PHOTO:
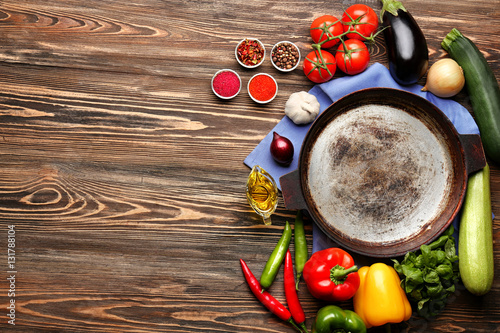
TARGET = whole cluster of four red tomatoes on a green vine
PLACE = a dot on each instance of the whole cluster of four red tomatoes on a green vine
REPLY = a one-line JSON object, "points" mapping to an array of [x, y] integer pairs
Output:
{"points": [[359, 23]]}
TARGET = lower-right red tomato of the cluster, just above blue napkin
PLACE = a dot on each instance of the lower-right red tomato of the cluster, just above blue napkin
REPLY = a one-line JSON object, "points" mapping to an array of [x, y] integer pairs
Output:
{"points": [[354, 58]]}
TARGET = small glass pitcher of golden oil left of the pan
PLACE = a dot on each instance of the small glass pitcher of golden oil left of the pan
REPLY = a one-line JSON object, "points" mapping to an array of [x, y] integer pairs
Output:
{"points": [[262, 193]]}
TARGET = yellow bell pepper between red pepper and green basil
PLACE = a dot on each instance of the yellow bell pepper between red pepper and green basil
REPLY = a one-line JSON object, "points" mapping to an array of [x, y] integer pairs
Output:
{"points": [[380, 298]]}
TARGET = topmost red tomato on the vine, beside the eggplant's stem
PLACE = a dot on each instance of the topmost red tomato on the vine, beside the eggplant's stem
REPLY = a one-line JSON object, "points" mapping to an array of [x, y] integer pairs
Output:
{"points": [[360, 18]]}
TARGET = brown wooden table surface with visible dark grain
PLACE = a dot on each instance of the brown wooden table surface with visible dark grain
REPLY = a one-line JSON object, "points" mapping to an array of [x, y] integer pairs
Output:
{"points": [[122, 175]]}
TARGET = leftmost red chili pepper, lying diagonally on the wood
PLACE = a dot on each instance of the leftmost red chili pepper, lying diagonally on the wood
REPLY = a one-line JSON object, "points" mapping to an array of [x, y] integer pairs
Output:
{"points": [[271, 303]]}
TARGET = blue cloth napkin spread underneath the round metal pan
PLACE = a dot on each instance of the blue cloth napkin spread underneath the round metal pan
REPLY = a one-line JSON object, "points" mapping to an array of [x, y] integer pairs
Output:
{"points": [[377, 75]]}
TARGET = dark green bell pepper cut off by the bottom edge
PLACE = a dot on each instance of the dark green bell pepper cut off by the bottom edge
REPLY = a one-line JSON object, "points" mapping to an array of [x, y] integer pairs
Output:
{"points": [[331, 319]]}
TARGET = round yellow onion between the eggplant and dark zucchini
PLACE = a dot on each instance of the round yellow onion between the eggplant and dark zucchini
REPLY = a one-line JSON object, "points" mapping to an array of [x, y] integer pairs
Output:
{"points": [[445, 78]]}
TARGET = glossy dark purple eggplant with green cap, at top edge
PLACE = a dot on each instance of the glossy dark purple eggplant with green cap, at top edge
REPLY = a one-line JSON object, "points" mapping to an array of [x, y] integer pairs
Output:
{"points": [[406, 45]]}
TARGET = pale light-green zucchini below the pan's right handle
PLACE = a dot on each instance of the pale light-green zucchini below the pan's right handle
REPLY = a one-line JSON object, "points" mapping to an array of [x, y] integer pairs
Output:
{"points": [[475, 237]]}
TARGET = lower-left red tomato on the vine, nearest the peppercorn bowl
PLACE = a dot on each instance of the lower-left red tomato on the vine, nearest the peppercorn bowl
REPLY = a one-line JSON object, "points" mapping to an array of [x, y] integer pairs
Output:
{"points": [[316, 70]]}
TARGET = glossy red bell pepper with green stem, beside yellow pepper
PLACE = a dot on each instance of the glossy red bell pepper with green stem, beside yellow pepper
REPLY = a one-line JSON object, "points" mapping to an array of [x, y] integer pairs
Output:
{"points": [[331, 275]]}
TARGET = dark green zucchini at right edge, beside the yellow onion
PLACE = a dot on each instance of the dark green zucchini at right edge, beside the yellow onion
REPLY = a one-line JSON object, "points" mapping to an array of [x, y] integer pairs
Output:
{"points": [[482, 87]]}
